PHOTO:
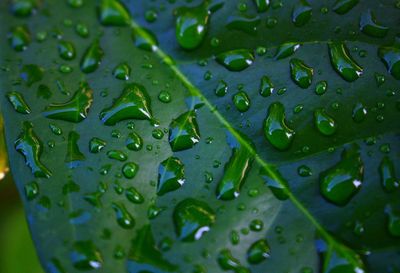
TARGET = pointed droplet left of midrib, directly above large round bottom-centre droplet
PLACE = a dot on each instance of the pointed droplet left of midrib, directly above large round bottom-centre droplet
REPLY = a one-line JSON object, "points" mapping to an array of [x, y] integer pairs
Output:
{"points": [[171, 175]]}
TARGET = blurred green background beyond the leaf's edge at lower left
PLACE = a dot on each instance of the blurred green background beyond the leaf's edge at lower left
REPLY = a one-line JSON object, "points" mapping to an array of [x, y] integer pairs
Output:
{"points": [[17, 253]]}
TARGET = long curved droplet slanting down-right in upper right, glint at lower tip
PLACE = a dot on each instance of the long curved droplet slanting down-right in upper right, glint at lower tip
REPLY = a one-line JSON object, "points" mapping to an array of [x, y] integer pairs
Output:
{"points": [[343, 63]]}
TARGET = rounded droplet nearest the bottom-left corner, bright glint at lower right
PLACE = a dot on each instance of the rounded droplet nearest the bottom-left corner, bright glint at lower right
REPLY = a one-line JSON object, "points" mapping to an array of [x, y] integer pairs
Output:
{"points": [[86, 256]]}
